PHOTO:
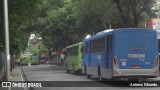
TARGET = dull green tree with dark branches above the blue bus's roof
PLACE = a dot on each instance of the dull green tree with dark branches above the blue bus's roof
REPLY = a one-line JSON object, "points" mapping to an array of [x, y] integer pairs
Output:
{"points": [[96, 15]]}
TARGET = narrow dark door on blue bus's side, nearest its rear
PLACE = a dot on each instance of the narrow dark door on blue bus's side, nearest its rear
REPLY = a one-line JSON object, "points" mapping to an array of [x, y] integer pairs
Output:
{"points": [[109, 51]]}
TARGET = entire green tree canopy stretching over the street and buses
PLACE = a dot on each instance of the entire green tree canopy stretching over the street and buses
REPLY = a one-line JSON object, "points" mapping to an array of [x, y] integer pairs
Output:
{"points": [[64, 22]]}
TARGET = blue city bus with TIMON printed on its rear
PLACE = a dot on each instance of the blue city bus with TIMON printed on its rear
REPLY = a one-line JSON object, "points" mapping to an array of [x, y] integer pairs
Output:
{"points": [[121, 53]]}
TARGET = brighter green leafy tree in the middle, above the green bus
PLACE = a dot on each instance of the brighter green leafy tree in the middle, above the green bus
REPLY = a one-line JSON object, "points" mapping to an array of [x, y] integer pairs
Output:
{"points": [[57, 24]]}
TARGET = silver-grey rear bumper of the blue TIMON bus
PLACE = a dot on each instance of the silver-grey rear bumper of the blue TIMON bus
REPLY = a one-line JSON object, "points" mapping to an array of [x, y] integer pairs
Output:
{"points": [[136, 72]]}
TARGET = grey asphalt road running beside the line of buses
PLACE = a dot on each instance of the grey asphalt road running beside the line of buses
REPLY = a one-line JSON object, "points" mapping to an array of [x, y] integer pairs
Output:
{"points": [[57, 79]]}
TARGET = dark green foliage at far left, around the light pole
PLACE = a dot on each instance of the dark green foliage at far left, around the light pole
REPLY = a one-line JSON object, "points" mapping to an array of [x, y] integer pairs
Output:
{"points": [[21, 13]]}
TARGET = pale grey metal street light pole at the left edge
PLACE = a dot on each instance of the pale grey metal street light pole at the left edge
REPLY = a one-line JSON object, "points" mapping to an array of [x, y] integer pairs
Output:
{"points": [[6, 26]]}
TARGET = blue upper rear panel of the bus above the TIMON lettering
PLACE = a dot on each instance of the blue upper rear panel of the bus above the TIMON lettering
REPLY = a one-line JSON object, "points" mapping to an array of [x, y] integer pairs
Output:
{"points": [[146, 39]]}
